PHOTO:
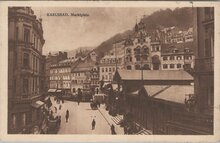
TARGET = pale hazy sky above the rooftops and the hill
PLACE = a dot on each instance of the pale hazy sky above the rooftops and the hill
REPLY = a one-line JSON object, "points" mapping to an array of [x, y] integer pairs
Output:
{"points": [[71, 32]]}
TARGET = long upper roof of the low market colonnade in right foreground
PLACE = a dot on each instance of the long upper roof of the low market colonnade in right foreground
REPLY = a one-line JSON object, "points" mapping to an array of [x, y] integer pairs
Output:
{"points": [[153, 75]]}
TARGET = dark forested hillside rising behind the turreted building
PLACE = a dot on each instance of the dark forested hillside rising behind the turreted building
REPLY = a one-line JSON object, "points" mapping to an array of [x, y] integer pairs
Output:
{"points": [[179, 17]]}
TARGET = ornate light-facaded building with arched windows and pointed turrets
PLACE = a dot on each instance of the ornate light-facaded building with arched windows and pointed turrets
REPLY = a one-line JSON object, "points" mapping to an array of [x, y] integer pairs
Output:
{"points": [[137, 49]]}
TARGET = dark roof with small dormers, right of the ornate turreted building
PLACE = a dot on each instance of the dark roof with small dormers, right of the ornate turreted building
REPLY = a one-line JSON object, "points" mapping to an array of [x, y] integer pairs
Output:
{"points": [[167, 49]]}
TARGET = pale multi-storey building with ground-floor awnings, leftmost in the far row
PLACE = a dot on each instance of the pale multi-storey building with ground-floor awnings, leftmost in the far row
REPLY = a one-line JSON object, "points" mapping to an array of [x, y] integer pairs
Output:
{"points": [[60, 76]]}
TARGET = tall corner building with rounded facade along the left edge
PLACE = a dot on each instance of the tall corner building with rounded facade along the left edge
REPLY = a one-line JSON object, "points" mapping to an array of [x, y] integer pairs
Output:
{"points": [[26, 70]]}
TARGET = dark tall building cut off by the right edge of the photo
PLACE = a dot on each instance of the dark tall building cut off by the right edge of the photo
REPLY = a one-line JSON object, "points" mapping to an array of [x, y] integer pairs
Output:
{"points": [[204, 59]]}
